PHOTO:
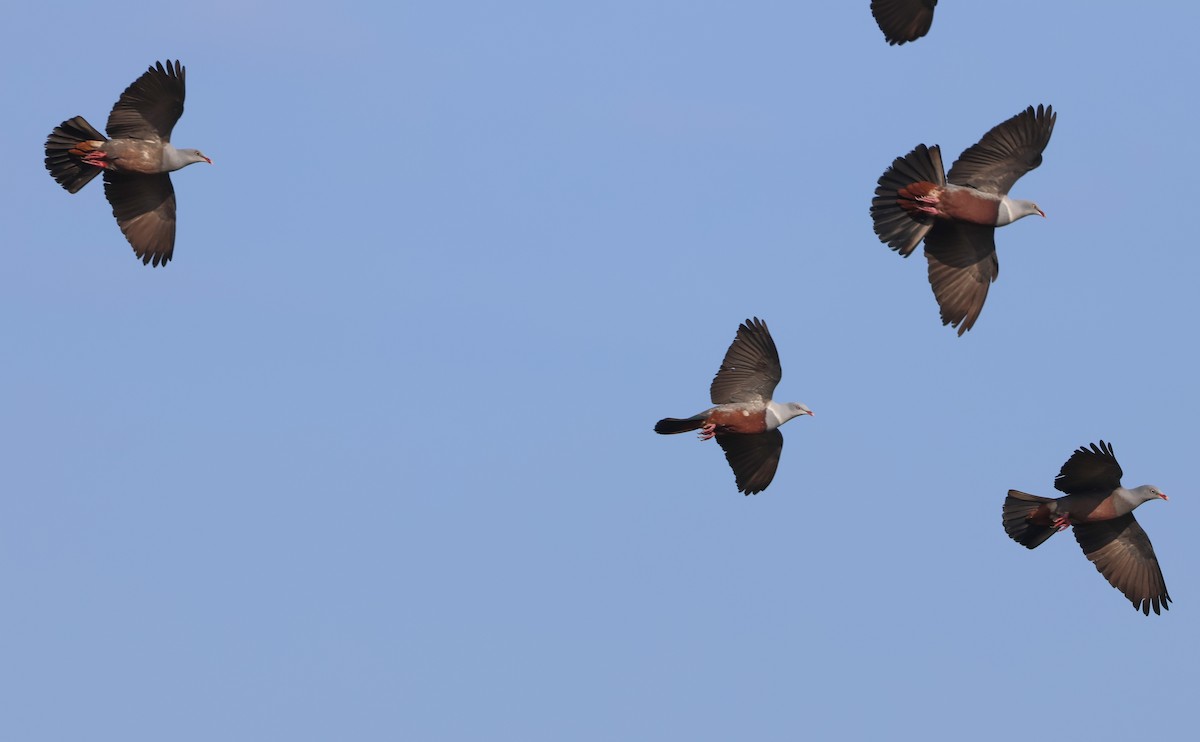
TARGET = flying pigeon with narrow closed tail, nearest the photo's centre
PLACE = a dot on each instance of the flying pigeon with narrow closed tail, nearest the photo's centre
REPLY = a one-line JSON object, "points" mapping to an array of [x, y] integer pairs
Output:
{"points": [[746, 421]]}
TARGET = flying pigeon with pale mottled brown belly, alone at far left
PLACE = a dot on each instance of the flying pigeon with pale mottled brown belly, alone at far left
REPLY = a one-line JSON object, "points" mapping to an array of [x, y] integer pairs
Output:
{"points": [[135, 161]]}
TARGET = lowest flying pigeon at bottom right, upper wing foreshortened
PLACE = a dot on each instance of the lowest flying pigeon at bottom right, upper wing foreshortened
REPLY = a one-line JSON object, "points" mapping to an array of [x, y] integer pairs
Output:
{"points": [[1102, 514]]}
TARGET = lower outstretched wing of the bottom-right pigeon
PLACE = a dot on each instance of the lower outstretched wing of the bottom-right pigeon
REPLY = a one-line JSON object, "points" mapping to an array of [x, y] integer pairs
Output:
{"points": [[1123, 553]]}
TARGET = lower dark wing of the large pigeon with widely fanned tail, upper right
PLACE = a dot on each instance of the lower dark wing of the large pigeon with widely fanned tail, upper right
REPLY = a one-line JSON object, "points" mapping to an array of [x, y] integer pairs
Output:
{"points": [[962, 267]]}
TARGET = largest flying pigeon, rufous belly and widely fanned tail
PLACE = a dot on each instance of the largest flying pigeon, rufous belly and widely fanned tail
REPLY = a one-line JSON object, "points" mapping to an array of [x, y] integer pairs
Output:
{"points": [[958, 214]]}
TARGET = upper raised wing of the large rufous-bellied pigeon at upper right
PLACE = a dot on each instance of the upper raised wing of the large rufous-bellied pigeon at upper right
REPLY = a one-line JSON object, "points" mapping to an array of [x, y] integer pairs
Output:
{"points": [[1006, 153]]}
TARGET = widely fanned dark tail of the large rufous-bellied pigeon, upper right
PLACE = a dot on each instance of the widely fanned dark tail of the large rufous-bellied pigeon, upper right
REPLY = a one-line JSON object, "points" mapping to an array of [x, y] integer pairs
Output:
{"points": [[903, 229]]}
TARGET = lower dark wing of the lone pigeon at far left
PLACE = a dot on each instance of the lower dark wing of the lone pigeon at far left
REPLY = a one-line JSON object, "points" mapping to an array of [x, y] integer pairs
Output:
{"points": [[145, 207]]}
